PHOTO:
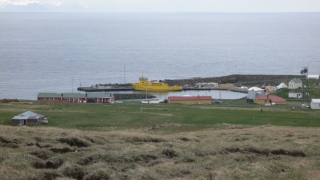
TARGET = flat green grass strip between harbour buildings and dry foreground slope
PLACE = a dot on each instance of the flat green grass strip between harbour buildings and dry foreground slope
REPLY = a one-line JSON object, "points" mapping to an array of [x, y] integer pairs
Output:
{"points": [[121, 116]]}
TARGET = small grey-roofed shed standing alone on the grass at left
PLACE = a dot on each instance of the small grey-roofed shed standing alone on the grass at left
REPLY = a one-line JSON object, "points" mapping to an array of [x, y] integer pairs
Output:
{"points": [[29, 118]]}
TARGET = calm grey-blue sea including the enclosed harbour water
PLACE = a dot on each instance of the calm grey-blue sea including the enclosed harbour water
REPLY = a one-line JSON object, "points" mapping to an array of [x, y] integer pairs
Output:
{"points": [[59, 52]]}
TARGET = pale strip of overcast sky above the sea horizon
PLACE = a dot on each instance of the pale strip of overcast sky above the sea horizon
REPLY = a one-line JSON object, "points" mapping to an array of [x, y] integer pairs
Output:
{"points": [[183, 5]]}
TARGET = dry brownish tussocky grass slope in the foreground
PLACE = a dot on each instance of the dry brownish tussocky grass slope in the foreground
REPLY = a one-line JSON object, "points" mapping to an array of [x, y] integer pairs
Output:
{"points": [[222, 151]]}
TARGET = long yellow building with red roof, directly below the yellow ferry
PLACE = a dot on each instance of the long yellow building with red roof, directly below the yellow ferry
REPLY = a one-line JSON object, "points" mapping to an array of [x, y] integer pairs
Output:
{"points": [[190, 99]]}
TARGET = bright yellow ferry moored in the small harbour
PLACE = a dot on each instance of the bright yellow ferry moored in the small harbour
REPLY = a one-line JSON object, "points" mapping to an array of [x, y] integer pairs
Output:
{"points": [[144, 85]]}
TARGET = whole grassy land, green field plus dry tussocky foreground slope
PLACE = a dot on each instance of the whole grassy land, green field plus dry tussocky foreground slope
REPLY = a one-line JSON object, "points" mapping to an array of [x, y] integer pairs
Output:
{"points": [[89, 141]]}
